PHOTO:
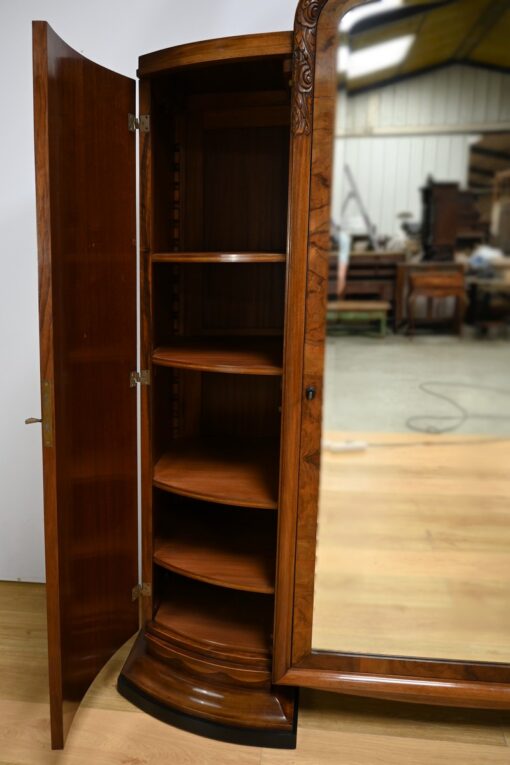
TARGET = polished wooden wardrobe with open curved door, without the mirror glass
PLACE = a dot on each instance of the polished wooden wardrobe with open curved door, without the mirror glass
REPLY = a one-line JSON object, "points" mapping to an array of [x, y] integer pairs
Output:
{"points": [[234, 229]]}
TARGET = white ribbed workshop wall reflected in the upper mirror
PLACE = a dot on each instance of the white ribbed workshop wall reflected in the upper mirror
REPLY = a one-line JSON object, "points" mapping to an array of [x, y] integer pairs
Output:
{"points": [[394, 137]]}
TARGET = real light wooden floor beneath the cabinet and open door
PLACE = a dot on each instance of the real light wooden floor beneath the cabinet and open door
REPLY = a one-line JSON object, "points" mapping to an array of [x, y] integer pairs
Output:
{"points": [[107, 730]]}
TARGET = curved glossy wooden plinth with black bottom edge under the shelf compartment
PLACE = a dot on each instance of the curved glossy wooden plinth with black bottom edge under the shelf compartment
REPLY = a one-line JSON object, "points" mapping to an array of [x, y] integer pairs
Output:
{"points": [[252, 716]]}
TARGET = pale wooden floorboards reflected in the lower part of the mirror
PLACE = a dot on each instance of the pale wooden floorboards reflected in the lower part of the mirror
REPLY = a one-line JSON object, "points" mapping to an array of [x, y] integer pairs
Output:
{"points": [[415, 539]]}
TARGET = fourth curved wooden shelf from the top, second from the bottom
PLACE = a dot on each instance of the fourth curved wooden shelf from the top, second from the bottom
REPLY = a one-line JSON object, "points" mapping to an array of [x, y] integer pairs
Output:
{"points": [[229, 547]]}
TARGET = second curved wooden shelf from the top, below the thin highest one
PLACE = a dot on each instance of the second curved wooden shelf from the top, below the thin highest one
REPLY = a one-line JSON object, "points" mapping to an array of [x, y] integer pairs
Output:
{"points": [[230, 355]]}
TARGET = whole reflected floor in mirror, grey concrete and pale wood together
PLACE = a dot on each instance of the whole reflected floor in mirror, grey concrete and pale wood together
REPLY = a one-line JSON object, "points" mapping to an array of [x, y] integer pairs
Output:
{"points": [[413, 551]]}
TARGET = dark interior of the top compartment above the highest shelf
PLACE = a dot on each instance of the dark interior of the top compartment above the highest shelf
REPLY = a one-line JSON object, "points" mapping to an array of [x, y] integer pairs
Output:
{"points": [[228, 126]]}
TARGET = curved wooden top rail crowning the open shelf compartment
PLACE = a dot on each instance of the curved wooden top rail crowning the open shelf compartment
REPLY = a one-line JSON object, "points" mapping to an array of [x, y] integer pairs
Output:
{"points": [[234, 49]]}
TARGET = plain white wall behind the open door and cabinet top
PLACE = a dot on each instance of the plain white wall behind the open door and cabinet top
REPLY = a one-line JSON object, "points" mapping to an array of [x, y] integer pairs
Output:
{"points": [[113, 33]]}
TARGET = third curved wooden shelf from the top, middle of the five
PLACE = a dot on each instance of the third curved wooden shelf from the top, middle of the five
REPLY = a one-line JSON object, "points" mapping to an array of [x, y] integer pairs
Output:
{"points": [[227, 471]]}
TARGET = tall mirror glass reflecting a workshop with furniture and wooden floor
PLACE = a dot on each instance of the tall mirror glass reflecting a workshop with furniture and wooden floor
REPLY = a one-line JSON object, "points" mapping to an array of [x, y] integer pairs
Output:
{"points": [[413, 555]]}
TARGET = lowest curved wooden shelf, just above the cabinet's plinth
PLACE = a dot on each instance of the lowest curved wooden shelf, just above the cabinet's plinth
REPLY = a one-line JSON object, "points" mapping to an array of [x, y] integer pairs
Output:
{"points": [[214, 620]]}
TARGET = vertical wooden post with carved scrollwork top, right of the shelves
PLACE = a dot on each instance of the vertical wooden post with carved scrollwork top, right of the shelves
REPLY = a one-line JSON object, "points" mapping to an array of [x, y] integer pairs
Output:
{"points": [[294, 383]]}
